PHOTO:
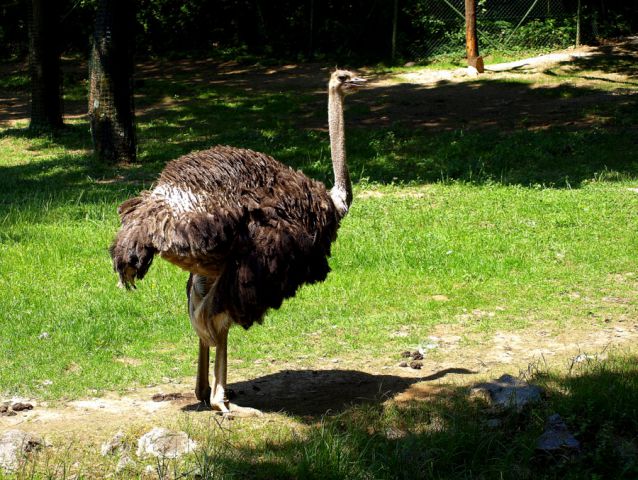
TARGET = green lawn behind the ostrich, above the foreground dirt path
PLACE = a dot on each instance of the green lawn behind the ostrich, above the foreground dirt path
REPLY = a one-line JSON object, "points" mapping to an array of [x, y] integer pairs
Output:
{"points": [[515, 219]]}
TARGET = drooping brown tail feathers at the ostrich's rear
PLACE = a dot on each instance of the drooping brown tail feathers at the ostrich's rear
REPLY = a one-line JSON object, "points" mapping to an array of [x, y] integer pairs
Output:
{"points": [[132, 255]]}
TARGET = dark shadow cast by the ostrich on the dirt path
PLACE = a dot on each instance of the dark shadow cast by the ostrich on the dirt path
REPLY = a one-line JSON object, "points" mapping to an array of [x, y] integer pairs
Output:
{"points": [[317, 392]]}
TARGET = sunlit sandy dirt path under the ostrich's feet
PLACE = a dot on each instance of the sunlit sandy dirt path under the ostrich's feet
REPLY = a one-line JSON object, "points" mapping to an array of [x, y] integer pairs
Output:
{"points": [[331, 387]]}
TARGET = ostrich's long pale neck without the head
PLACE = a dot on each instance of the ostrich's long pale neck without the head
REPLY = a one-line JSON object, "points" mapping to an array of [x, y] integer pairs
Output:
{"points": [[342, 191]]}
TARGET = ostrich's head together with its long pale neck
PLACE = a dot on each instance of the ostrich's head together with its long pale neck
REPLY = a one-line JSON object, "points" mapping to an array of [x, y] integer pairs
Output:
{"points": [[341, 83]]}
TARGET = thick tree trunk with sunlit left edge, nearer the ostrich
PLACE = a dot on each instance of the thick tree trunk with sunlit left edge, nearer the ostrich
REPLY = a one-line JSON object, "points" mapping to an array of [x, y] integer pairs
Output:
{"points": [[111, 109]]}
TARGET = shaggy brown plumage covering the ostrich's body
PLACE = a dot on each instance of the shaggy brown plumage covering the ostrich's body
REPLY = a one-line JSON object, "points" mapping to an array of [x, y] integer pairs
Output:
{"points": [[262, 228]]}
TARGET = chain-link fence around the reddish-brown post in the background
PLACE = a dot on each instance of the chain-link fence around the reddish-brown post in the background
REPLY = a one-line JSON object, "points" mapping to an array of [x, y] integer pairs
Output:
{"points": [[503, 26]]}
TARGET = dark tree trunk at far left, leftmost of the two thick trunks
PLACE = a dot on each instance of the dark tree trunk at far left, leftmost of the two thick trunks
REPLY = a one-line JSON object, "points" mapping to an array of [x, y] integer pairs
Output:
{"points": [[44, 65]]}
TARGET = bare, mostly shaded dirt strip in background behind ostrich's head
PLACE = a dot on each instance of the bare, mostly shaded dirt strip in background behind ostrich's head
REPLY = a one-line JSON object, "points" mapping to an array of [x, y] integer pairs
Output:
{"points": [[556, 89]]}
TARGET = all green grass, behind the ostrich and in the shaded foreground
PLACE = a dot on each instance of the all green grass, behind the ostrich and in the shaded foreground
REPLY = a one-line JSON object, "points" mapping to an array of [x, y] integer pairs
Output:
{"points": [[531, 225]]}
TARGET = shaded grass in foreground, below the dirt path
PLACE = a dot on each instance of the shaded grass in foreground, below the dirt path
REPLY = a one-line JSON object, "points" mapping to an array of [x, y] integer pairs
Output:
{"points": [[443, 435]]}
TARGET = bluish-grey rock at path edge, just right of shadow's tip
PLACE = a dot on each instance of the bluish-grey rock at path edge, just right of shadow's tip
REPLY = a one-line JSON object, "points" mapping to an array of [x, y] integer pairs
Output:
{"points": [[507, 392]]}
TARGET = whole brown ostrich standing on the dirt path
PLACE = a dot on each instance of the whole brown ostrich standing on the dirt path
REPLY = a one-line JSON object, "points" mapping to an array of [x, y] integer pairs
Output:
{"points": [[249, 229]]}
